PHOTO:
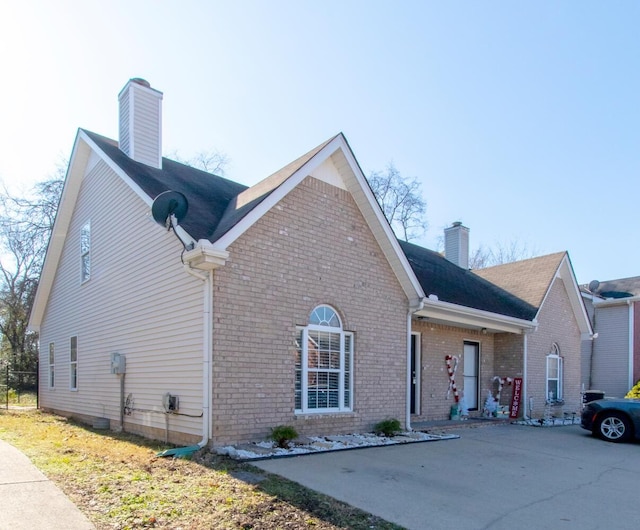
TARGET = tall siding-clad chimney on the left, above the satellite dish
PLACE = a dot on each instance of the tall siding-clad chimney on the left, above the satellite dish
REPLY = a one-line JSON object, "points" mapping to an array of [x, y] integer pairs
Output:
{"points": [[141, 122]]}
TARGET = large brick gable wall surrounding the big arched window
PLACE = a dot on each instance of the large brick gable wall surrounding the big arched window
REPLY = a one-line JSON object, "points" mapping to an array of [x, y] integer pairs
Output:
{"points": [[312, 248]]}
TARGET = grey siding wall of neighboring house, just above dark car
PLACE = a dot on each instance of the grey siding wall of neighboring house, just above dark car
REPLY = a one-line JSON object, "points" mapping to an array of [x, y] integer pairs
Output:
{"points": [[611, 351]]}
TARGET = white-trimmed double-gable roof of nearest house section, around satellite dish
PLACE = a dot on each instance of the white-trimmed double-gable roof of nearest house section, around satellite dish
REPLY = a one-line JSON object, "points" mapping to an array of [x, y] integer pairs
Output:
{"points": [[220, 210]]}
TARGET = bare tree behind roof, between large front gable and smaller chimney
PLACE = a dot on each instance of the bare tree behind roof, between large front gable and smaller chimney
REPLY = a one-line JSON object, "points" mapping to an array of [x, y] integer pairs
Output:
{"points": [[401, 201]]}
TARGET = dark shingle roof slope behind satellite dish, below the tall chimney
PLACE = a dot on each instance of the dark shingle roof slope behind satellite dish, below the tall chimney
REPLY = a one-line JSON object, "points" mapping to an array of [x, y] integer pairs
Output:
{"points": [[208, 195]]}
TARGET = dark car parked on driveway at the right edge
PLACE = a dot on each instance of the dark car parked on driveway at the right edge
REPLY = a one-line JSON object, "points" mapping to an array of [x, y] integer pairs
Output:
{"points": [[614, 420]]}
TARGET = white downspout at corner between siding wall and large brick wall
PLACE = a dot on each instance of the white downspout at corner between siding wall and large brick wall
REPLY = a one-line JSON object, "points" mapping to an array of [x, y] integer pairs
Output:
{"points": [[207, 340]]}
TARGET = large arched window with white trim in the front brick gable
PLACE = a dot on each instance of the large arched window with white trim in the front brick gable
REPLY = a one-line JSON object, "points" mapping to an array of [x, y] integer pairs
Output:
{"points": [[323, 364]]}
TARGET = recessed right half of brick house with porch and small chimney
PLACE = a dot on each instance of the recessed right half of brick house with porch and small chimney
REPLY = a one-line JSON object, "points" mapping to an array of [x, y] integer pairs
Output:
{"points": [[518, 320]]}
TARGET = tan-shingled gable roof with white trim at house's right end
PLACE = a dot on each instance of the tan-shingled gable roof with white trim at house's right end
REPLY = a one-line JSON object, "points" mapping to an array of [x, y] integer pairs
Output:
{"points": [[531, 280]]}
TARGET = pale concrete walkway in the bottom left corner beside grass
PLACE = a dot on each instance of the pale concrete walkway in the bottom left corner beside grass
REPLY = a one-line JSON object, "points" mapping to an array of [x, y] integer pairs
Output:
{"points": [[29, 500]]}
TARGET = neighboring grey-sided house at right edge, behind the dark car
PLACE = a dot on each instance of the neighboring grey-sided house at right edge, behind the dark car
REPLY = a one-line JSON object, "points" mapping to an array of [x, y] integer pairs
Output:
{"points": [[611, 363]]}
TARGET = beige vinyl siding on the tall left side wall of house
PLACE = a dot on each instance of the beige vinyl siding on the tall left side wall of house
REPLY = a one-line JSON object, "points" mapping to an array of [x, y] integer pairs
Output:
{"points": [[139, 302]]}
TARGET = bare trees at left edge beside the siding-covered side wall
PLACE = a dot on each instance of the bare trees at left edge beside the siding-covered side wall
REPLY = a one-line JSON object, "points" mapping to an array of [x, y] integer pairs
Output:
{"points": [[25, 228]]}
